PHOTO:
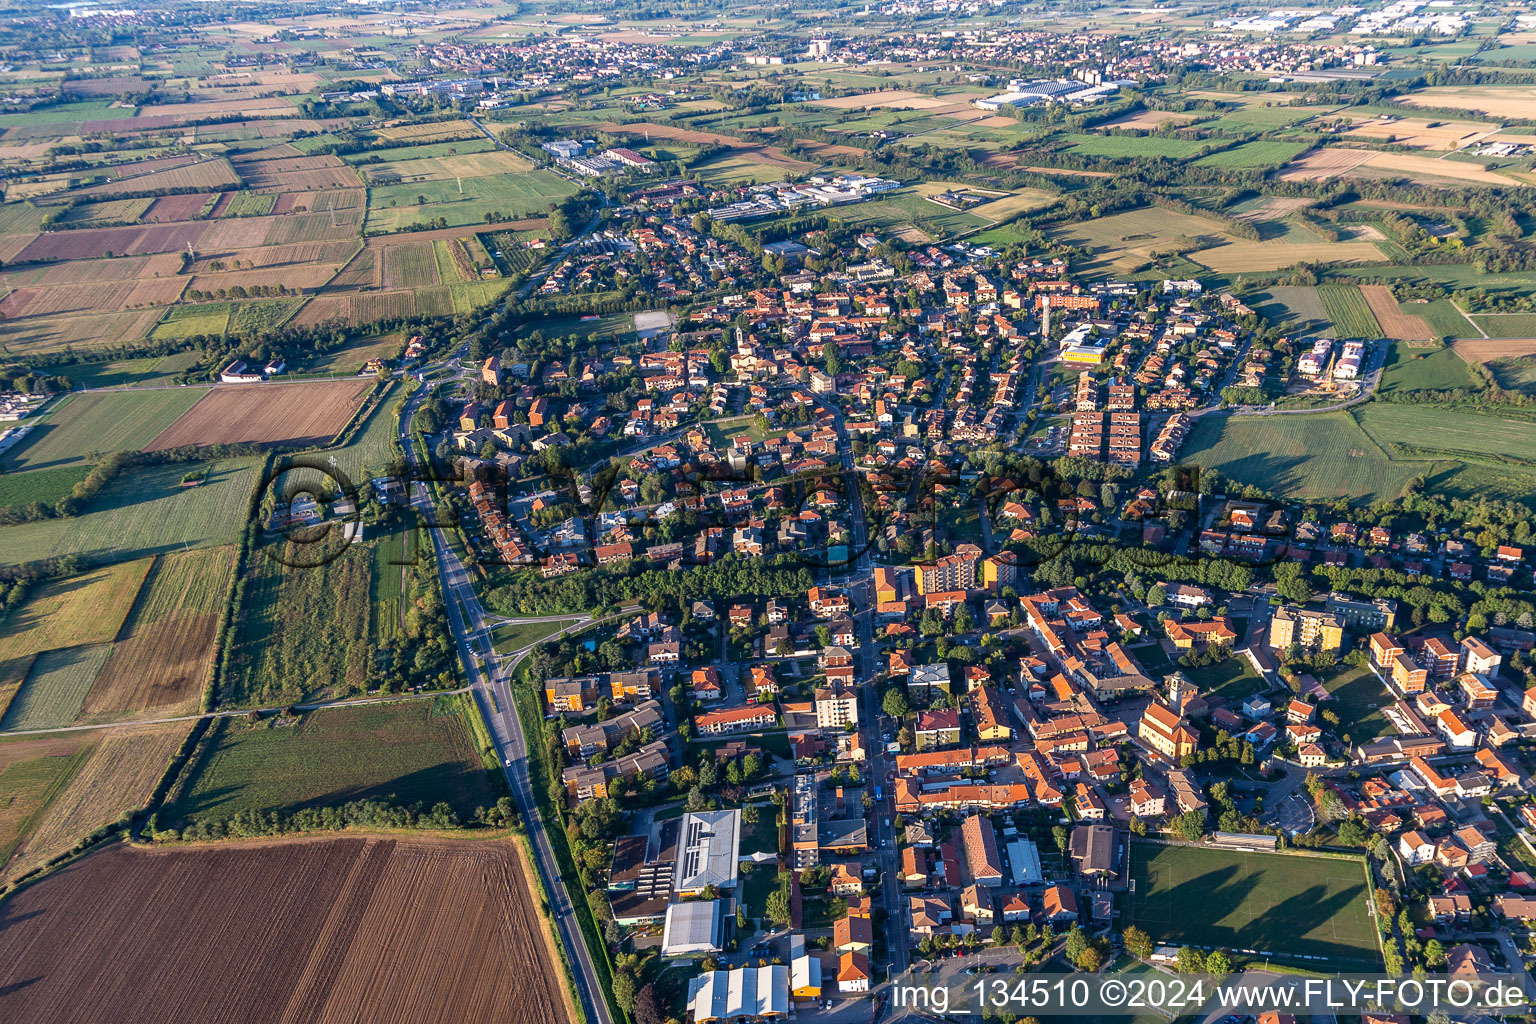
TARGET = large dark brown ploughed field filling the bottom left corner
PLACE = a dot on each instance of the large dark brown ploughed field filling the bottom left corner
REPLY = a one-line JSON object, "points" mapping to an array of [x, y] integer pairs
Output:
{"points": [[329, 931]]}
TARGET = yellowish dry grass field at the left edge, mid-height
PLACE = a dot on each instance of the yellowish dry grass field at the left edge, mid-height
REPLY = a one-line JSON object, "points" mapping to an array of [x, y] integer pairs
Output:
{"points": [[73, 612]]}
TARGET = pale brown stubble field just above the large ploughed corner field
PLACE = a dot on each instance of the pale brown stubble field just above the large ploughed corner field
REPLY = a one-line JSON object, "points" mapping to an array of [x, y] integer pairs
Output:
{"points": [[121, 773]]}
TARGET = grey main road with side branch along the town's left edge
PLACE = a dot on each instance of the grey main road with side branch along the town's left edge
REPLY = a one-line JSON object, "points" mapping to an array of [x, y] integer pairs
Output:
{"points": [[494, 696]]}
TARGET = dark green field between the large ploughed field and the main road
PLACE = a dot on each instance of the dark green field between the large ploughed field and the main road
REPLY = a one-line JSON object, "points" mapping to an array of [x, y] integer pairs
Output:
{"points": [[409, 751]]}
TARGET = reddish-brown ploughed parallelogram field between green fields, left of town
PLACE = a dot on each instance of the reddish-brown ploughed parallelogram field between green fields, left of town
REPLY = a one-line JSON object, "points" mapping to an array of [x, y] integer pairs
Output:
{"points": [[266, 414]]}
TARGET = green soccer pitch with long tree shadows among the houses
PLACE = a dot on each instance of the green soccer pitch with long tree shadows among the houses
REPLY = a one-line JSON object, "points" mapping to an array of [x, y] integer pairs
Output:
{"points": [[1289, 907]]}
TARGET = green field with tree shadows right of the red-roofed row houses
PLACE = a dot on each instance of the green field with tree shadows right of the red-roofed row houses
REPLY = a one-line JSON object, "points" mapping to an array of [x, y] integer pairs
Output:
{"points": [[1314, 455]]}
